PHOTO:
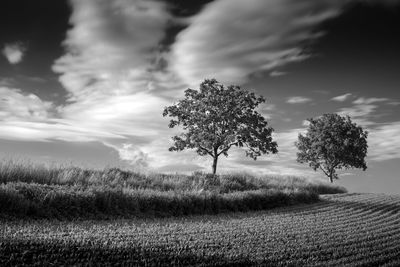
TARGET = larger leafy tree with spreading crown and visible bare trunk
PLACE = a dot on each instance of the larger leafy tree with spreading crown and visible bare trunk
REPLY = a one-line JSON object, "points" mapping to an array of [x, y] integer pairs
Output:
{"points": [[216, 117]]}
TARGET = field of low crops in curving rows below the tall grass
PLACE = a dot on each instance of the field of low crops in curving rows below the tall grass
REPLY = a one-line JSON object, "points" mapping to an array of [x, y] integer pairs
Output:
{"points": [[342, 229]]}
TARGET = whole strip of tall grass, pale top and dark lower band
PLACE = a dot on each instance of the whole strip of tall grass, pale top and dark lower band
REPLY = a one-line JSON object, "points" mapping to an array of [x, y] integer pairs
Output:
{"points": [[40, 191]]}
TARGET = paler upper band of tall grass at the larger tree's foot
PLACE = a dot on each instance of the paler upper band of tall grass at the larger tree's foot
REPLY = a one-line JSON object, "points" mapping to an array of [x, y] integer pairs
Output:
{"points": [[27, 172]]}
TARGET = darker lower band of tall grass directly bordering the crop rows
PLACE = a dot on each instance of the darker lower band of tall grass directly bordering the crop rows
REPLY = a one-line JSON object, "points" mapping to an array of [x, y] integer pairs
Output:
{"points": [[22, 200]]}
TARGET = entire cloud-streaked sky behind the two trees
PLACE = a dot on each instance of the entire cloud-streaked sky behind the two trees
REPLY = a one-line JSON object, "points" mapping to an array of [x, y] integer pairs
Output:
{"points": [[85, 82]]}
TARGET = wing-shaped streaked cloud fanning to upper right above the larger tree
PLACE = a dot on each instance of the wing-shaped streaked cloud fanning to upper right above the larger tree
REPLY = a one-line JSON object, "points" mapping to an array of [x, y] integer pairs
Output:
{"points": [[231, 39]]}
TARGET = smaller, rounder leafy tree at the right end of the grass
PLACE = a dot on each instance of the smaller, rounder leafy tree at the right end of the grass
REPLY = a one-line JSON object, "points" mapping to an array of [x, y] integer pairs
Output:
{"points": [[333, 142]]}
